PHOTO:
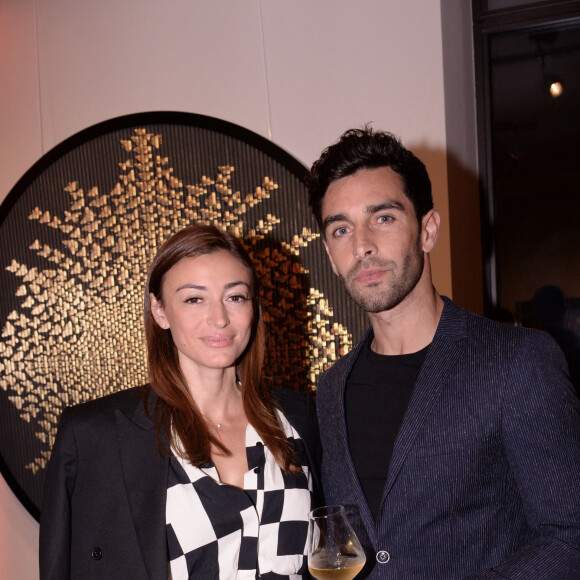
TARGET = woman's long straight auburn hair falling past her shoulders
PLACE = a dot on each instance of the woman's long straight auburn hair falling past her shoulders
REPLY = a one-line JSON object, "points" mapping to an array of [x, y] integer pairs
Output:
{"points": [[179, 425]]}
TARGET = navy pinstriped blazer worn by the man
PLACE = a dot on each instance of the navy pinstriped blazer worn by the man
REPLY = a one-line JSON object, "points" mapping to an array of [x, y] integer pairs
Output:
{"points": [[484, 481]]}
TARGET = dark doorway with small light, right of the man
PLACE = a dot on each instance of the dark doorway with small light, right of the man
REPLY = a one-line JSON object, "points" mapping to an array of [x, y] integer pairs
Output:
{"points": [[528, 87]]}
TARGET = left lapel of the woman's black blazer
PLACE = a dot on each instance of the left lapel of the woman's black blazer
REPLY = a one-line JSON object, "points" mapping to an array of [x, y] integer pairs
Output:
{"points": [[145, 474]]}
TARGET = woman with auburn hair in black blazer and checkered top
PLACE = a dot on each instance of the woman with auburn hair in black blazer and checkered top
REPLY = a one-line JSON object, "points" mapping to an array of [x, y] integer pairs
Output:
{"points": [[203, 473]]}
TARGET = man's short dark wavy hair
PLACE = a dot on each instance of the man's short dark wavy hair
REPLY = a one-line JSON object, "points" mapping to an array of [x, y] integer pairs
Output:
{"points": [[368, 149]]}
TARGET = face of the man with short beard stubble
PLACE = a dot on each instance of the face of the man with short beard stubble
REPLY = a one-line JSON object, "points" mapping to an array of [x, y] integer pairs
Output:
{"points": [[372, 238]]}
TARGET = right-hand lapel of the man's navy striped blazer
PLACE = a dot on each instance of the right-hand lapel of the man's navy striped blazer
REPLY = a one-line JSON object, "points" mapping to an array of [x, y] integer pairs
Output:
{"points": [[447, 346]]}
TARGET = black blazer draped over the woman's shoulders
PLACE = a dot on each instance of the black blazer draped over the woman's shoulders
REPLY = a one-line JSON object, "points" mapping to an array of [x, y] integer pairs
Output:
{"points": [[103, 512]]}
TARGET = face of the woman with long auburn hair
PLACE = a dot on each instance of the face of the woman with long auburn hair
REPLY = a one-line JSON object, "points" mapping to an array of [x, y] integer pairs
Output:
{"points": [[207, 305]]}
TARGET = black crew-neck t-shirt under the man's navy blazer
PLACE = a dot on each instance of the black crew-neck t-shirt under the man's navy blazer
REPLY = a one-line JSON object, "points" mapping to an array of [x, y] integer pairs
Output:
{"points": [[378, 391]]}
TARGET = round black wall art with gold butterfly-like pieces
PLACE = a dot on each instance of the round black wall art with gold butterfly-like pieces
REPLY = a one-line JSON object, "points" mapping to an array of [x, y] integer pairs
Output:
{"points": [[77, 234]]}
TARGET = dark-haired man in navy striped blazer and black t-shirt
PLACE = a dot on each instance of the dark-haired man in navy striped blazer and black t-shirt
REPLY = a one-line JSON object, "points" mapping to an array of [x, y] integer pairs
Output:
{"points": [[452, 441]]}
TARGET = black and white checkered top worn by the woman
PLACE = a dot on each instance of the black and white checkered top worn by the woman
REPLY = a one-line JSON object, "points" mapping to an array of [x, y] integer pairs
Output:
{"points": [[219, 531]]}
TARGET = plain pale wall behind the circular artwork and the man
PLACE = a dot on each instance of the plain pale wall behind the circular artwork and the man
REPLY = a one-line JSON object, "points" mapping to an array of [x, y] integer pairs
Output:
{"points": [[298, 72]]}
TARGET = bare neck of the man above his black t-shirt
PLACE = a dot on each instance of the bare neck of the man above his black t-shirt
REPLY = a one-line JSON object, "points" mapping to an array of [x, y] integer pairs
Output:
{"points": [[409, 326]]}
